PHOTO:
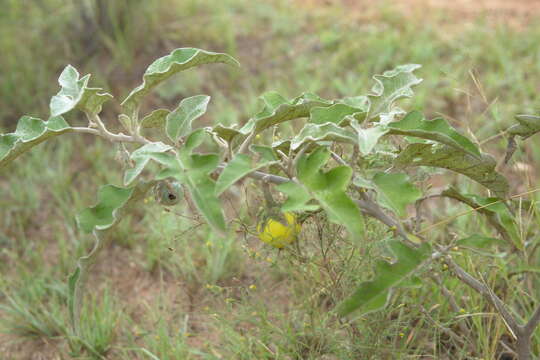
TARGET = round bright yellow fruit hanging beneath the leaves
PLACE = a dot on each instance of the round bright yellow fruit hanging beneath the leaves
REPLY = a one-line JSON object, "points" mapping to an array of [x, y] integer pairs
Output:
{"points": [[279, 232]]}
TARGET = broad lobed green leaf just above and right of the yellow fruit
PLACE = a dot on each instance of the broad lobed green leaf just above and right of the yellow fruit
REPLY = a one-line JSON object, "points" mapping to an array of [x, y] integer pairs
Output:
{"points": [[329, 189]]}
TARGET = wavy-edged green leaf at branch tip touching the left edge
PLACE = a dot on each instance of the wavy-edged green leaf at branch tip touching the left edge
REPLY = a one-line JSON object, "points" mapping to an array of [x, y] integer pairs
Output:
{"points": [[29, 133]]}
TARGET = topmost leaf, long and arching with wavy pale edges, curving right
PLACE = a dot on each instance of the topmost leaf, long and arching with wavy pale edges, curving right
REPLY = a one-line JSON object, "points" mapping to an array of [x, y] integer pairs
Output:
{"points": [[167, 66]]}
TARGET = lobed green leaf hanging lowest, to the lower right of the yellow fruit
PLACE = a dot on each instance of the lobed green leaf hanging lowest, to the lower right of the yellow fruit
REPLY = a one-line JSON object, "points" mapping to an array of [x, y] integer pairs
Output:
{"points": [[372, 295]]}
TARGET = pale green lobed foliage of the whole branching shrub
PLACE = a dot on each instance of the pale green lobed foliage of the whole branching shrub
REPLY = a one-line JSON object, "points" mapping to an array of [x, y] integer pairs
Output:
{"points": [[299, 164]]}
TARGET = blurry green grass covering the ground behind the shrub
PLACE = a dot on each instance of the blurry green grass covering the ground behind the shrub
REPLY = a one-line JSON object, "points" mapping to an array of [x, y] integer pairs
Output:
{"points": [[177, 292]]}
